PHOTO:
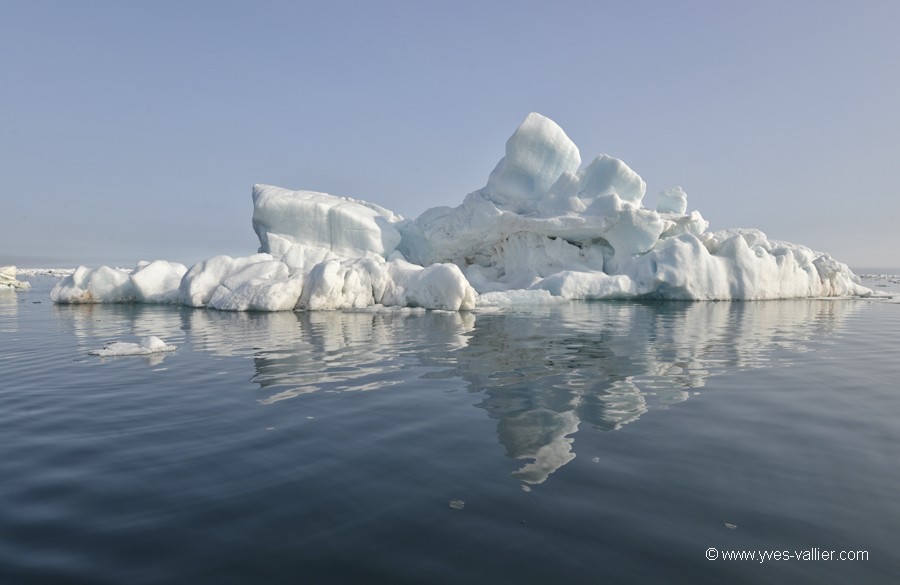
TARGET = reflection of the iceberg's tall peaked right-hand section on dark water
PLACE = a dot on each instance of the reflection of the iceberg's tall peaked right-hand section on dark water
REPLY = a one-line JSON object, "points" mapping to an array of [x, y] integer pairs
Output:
{"points": [[605, 364]]}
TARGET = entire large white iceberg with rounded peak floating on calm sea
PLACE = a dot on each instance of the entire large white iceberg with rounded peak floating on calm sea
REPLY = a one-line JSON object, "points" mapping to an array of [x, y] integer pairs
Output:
{"points": [[543, 229]]}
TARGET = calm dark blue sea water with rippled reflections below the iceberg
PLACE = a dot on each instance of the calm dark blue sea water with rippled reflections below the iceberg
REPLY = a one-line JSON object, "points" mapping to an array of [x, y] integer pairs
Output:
{"points": [[582, 443]]}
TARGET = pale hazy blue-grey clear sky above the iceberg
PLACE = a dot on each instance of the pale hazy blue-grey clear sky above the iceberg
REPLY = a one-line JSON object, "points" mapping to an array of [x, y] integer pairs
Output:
{"points": [[135, 130]]}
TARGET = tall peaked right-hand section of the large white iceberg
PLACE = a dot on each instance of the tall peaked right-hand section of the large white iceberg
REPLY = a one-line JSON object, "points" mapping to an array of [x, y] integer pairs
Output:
{"points": [[585, 234]]}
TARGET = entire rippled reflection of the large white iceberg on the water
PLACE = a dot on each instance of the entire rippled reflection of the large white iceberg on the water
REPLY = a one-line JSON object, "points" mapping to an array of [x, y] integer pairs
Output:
{"points": [[542, 373]]}
